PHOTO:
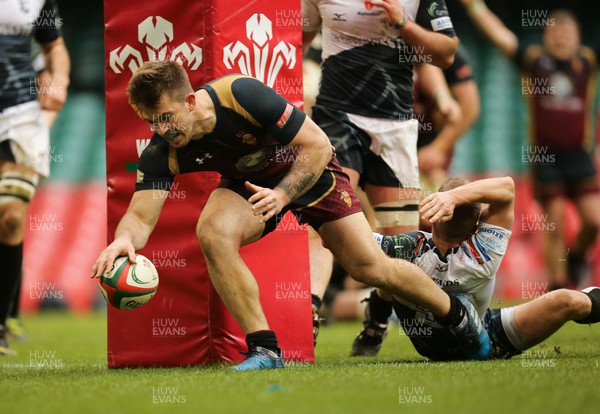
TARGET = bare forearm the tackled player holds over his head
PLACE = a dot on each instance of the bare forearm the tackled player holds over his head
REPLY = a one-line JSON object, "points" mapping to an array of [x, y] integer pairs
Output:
{"points": [[494, 191]]}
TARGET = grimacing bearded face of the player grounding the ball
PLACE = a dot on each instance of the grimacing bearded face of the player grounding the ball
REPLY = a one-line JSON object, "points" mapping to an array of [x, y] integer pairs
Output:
{"points": [[171, 120]]}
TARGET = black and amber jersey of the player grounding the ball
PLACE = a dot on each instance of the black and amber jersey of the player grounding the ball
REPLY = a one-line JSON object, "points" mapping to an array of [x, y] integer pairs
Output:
{"points": [[254, 125]]}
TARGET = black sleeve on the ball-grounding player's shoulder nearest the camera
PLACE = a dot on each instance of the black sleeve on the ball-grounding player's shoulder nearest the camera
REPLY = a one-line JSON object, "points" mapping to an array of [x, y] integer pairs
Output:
{"points": [[280, 118]]}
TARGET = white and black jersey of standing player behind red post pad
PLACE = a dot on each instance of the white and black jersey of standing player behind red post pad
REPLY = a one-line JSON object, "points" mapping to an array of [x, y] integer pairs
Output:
{"points": [[367, 67]]}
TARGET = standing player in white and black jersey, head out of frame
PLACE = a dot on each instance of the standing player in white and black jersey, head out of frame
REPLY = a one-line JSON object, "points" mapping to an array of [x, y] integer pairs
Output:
{"points": [[365, 101]]}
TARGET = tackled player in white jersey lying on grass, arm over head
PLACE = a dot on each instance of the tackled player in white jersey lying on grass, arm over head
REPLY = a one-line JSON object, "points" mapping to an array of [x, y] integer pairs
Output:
{"points": [[462, 254]]}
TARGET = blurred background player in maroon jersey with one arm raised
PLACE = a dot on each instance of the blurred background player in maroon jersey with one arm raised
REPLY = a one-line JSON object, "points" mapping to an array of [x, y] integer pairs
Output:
{"points": [[561, 118]]}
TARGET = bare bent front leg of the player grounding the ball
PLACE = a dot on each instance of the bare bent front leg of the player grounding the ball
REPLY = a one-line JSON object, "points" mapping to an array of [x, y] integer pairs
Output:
{"points": [[227, 223]]}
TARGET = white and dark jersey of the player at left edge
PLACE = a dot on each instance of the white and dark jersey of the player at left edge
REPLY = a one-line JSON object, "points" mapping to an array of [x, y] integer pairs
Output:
{"points": [[20, 21]]}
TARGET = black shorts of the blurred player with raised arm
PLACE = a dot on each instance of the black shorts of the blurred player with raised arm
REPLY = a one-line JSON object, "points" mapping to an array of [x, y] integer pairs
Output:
{"points": [[563, 173]]}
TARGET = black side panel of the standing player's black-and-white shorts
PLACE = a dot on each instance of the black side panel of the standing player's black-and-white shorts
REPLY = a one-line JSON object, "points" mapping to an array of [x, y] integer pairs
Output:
{"points": [[352, 147]]}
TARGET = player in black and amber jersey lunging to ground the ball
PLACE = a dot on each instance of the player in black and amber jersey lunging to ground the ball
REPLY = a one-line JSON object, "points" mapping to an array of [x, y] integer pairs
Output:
{"points": [[272, 159]]}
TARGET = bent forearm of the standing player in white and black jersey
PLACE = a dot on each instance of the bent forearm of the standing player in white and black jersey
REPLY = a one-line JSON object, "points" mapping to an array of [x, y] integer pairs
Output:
{"points": [[439, 49]]}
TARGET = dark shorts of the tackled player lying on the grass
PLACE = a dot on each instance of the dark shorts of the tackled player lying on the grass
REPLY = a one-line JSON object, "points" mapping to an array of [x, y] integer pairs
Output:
{"points": [[439, 344]]}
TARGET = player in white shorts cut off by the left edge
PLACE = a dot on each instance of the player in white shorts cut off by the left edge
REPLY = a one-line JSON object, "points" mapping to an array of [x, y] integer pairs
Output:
{"points": [[24, 134]]}
